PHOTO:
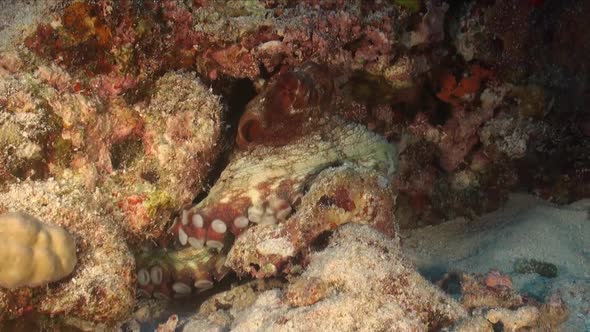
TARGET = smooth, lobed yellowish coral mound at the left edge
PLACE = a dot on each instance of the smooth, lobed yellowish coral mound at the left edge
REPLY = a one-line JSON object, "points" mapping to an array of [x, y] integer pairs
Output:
{"points": [[46, 253]]}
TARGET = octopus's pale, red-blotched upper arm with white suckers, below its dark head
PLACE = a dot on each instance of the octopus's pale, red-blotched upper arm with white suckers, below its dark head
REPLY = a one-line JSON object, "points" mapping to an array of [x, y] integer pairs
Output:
{"points": [[264, 185]]}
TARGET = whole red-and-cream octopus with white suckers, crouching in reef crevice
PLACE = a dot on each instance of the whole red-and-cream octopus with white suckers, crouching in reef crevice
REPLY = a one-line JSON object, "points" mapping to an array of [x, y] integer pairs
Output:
{"points": [[277, 195]]}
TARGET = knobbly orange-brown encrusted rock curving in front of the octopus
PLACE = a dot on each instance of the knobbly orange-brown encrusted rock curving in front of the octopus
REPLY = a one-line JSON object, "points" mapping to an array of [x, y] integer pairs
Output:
{"points": [[339, 195]]}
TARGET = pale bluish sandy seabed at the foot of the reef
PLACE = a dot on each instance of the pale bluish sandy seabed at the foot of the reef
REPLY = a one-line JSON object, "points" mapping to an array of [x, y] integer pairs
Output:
{"points": [[525, 228]]}
